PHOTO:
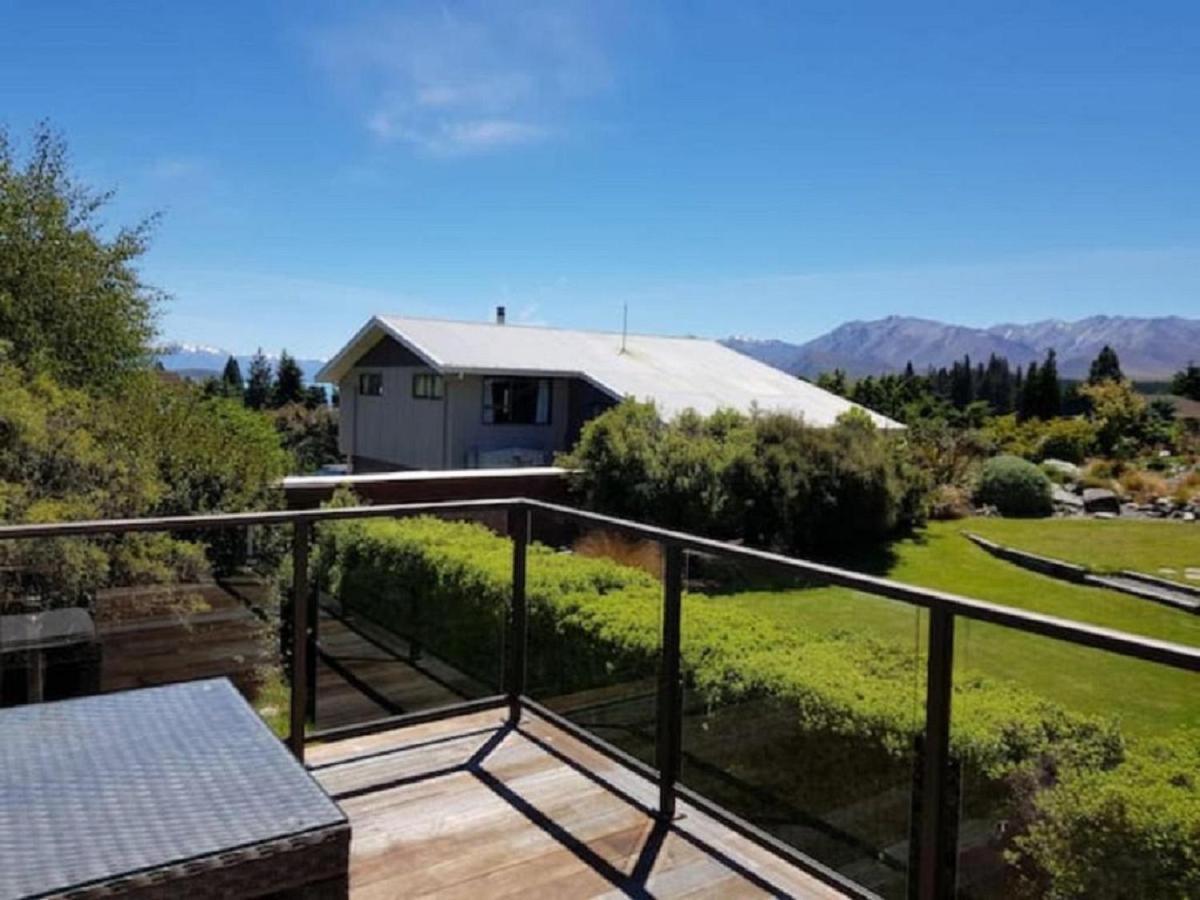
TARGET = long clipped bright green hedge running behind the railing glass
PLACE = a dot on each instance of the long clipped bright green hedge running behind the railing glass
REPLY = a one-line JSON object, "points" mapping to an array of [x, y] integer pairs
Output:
{"points": [[1066, 777]]}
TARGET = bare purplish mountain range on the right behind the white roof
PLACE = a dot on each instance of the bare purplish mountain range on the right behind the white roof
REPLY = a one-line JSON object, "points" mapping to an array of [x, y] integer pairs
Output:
{"points": [[1150, 349]]}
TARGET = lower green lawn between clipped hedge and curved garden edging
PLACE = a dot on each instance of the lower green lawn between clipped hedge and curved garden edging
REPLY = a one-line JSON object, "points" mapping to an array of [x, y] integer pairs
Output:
{"points": [[1148, 698]]}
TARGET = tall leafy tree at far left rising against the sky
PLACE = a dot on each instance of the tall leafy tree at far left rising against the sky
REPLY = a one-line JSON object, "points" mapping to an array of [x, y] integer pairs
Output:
{"points": [[71, 302]]}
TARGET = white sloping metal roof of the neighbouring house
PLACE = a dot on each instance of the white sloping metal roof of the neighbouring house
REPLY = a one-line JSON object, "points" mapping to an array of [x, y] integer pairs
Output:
{"points": [[676, 374]]}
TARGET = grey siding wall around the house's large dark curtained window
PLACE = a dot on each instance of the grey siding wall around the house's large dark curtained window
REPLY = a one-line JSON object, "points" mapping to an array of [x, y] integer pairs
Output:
{"points": [[470, 436]]}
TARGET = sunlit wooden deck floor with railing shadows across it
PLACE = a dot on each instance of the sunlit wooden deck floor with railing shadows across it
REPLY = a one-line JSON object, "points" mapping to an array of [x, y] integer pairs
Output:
{"points": [[475, 808]]}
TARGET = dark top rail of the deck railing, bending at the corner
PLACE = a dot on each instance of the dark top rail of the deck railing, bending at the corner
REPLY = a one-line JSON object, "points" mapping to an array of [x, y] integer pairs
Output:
{"points": [[1120, 643]]}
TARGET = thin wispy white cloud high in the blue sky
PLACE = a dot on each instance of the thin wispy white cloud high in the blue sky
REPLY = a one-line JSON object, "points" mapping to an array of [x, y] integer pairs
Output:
{"points": [[470, 79]]}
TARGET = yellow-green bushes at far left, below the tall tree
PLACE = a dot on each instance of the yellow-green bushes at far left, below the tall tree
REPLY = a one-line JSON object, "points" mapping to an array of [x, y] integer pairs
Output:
{"points": [[147, 448]]}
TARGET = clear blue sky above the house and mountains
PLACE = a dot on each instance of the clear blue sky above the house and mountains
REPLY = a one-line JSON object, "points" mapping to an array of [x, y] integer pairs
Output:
{"points": [[761, 169]]}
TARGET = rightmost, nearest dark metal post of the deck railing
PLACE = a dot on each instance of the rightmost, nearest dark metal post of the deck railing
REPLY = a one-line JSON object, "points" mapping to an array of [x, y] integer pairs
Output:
{"points": [[938, 839]]}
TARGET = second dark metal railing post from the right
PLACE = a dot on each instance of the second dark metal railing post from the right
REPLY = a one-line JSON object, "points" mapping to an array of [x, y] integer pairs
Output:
{"points": [[670, 712]]}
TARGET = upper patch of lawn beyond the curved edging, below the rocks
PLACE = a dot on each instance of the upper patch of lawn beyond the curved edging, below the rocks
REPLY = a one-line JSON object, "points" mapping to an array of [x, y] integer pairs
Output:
{"points": [[1105, 547]]}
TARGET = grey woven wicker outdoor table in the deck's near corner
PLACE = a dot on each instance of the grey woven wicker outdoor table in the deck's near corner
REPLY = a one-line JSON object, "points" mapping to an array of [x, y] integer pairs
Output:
{"points": [[166, 793]]}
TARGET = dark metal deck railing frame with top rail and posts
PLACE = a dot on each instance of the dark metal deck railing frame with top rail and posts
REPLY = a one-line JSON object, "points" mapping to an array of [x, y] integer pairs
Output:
{"points": [[933, 872]]}
